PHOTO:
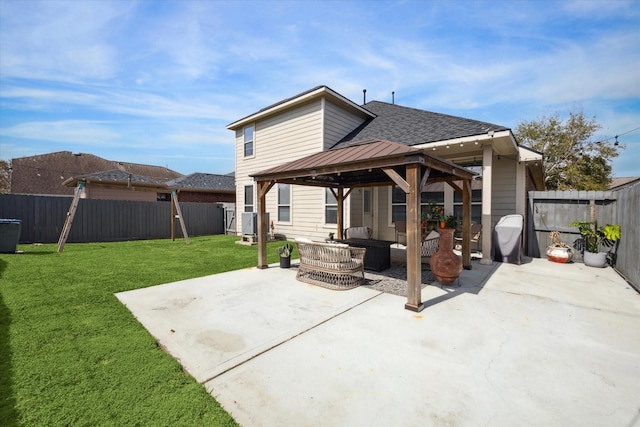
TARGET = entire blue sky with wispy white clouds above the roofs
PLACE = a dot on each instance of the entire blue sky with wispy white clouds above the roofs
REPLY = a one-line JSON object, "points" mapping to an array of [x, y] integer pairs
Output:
{"points": [[156, 82]]}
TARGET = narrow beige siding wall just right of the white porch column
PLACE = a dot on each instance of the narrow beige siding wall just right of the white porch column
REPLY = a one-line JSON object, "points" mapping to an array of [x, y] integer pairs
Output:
{"points": [[503, 194]]}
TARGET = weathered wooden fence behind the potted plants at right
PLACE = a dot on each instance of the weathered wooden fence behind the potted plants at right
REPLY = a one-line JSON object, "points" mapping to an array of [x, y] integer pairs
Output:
{"points": [[555, 210]]}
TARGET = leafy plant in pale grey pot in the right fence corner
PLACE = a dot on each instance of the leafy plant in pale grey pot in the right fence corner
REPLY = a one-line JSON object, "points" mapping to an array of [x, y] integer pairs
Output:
{"points": [[593, 237]]}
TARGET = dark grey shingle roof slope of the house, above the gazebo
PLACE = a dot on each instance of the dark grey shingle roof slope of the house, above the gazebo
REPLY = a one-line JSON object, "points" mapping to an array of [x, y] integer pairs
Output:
{"points": [[411, 126]]}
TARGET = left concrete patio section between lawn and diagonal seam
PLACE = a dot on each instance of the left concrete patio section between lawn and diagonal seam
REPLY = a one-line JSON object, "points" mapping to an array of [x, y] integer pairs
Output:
{"points": [[213, 323]]}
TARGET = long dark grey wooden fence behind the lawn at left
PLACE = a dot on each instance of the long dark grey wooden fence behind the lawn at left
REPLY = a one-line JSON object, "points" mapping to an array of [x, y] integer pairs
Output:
{"points": [[106, 220]]}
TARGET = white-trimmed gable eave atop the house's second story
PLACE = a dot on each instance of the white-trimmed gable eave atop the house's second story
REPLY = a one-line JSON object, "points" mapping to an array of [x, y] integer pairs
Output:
{"points": [[306, 96]]}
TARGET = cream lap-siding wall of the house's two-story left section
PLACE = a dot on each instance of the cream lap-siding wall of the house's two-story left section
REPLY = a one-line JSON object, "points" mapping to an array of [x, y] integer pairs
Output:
{"points": [[288, 136]]}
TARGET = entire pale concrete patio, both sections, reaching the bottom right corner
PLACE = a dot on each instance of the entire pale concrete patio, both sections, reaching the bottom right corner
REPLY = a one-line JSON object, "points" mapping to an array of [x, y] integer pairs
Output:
{"points": [[535, 344]]}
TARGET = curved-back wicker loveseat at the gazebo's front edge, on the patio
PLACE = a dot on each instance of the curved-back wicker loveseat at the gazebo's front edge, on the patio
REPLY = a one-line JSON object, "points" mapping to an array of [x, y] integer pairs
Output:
{"points": [[332, 266]]}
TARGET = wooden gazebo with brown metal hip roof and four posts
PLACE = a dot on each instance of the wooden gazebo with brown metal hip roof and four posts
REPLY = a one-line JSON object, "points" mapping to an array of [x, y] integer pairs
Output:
{"points": [[373, 163]]}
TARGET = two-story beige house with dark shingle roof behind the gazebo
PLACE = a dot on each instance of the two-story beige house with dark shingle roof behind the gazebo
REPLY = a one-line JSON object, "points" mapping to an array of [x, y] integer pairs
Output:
{"points": [[321, 119]]}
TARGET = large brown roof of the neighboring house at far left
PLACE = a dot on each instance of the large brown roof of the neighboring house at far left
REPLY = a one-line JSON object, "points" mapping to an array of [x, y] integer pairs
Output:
{"points": [[44, 174]]}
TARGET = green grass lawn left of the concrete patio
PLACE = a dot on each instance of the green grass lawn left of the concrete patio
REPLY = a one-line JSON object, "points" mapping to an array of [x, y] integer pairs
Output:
{"points": [[72, 354]]}
